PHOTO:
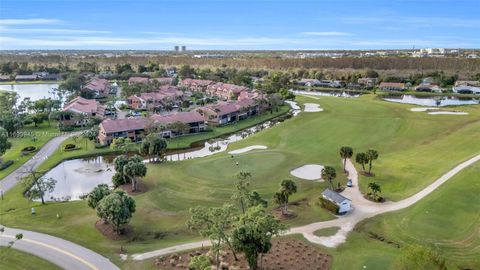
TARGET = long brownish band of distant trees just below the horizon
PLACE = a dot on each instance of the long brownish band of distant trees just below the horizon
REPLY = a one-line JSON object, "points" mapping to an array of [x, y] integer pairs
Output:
{"points": [[454, 65]]}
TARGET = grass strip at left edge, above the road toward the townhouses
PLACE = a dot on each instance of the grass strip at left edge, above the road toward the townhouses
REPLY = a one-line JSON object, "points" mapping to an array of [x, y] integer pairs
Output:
{"points": [[43, 134]]}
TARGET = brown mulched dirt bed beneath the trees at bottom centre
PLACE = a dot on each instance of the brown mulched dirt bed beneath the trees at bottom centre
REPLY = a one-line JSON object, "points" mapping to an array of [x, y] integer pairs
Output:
{"points": [[287, 253]]}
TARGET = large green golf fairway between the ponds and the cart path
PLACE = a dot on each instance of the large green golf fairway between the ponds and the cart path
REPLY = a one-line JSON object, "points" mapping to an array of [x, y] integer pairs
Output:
{"points": [[415, 149]]}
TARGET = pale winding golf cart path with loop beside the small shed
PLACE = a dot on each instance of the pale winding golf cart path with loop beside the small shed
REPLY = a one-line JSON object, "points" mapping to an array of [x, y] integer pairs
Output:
{"points": [[363, 209]]}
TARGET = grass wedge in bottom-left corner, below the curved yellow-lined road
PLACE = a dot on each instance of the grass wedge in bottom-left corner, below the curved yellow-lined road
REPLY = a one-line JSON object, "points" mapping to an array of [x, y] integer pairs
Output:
{"points": [[13, 259]]}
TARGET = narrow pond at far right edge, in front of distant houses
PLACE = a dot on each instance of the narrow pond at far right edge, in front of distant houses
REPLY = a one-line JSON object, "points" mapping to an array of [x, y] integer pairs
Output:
{"points": [[432, 101]]}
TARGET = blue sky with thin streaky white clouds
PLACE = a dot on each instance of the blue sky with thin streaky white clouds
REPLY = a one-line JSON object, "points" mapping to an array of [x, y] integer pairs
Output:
{"points": [[235, 24]]}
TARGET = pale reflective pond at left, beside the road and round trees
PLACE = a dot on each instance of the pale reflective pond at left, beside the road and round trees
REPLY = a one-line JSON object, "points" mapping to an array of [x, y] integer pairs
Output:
{"points": [[78, 177]]}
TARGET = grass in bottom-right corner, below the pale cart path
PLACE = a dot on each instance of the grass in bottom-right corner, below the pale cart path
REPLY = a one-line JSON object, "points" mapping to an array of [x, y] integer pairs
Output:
{"points": [[448, 221]]}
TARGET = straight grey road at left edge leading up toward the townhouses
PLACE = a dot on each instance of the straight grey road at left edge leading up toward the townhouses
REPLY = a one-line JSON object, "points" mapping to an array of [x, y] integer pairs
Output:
{"points": [[51, 146]]}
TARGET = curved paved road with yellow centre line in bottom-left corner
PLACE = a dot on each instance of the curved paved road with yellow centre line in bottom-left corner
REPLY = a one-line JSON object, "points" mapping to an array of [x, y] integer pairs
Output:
{"points": [[56, 250]]}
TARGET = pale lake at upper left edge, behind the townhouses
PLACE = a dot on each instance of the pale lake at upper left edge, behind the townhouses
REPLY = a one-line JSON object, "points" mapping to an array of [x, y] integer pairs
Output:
{"points": [[33, 91]]}
